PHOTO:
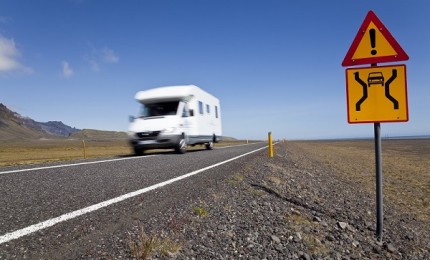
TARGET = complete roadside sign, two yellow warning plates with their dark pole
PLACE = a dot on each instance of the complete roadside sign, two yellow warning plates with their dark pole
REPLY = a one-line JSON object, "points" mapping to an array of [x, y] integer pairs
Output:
{"points": [[376, 94]]}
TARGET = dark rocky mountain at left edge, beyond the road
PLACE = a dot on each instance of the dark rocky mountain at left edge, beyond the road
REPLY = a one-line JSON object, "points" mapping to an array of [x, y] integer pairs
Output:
{"points": [[15, 126]]}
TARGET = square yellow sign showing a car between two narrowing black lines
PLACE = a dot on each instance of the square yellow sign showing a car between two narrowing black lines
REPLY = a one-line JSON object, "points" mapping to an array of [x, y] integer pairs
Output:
{"points": [[377, 94]]}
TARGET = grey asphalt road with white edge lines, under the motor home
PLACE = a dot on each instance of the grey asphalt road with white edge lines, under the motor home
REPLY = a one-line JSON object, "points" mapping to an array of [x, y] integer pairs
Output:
{"points": [[55, 210]]}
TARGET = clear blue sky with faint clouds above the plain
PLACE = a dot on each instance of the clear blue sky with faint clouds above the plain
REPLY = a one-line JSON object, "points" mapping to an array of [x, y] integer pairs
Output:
{"points": [[275, 65]]}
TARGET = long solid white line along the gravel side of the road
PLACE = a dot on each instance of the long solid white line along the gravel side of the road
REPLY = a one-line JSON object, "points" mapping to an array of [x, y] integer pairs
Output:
{"points": [[48, 223]]}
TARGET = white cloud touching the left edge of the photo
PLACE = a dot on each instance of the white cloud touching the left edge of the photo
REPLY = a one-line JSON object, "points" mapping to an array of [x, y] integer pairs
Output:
{"points": [[9, 57]]}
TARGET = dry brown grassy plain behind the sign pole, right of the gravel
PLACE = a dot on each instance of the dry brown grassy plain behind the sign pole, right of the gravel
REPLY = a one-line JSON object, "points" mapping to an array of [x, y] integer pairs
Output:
{"points": [[406, 168]]}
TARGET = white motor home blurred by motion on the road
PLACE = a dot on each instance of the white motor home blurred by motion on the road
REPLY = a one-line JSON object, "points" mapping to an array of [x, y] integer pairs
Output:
{"points": [[174, 117]]}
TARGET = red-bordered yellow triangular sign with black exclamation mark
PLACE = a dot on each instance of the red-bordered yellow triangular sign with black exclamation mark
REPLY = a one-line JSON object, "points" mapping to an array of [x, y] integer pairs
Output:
{"points": [[373, 44]]}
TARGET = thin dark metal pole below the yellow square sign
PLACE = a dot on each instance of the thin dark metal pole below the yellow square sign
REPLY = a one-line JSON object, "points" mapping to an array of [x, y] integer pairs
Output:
{"points": [[379, 203]]}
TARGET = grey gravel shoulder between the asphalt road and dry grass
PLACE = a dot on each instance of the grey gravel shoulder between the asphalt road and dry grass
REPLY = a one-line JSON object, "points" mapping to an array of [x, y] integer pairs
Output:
{"points": [[287, 207]]}
